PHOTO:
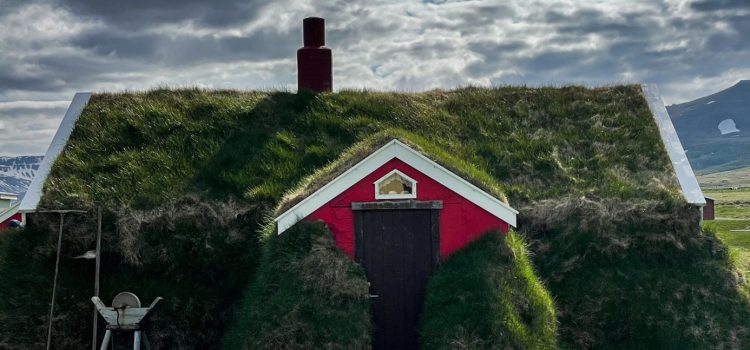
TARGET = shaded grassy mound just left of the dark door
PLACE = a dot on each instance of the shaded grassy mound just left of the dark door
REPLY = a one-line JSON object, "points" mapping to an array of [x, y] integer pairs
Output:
{"points": [[307, 295]]}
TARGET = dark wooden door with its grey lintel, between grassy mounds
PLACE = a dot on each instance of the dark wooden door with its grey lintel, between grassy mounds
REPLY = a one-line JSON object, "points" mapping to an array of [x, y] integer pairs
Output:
{"points": [[397, 243]]}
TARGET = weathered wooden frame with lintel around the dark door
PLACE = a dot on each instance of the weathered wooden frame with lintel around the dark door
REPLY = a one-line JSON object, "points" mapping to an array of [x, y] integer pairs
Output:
{"points": [[433, 206]]}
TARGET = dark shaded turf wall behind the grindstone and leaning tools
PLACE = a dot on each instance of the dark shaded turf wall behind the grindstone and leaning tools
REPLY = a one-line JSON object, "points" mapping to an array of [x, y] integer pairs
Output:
{"points": [[197, 255]]}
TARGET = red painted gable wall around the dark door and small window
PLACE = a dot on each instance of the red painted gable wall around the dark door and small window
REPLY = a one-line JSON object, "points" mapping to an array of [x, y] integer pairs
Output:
{"points": [[461, 221]]}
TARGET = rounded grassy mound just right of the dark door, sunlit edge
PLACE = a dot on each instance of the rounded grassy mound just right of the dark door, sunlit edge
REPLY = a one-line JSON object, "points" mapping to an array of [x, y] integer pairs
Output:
{"points": [[488, 297]]}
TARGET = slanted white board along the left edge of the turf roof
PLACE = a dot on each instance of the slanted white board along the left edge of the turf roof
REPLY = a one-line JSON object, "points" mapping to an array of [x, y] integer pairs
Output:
{"points": [[34, 192]]}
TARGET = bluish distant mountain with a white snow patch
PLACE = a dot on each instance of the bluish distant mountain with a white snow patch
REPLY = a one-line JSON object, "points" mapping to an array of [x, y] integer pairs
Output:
{"points": [[715, 130]]}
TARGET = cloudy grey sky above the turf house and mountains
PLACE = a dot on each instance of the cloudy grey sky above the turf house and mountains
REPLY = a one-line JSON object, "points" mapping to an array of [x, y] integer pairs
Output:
{"points": [[49, 49]]}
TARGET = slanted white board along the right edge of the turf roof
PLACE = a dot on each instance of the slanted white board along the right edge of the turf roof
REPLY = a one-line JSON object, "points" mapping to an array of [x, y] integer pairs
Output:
{"points": [[688, 183]]}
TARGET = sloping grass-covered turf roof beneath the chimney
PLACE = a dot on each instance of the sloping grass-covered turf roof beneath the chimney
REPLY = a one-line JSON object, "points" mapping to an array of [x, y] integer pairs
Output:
{"points": [[145, 148]]}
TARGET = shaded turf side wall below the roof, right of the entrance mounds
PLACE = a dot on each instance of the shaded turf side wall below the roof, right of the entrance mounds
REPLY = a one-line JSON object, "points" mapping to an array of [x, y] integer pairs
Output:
{"points": [[637, 275]]}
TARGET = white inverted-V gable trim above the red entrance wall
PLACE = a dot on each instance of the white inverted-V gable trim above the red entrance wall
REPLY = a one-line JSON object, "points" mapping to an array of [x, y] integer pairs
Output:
{"points": [[395, 149]]}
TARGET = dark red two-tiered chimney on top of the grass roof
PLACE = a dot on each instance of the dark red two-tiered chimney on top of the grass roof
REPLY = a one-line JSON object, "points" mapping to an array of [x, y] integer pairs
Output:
{"points": [[314, 60]]}
